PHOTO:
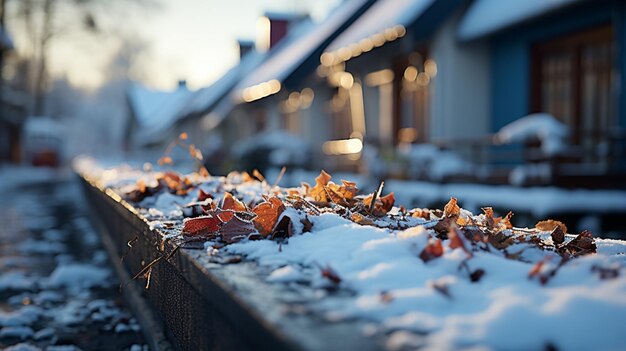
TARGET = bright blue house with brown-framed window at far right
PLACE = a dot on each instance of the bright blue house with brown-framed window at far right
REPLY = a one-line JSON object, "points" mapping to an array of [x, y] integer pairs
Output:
{"points": [[562, 57]]}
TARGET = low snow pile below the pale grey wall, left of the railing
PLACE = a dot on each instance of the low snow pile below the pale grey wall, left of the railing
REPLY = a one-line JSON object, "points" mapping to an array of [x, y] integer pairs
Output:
{"points": [[427, 160]]}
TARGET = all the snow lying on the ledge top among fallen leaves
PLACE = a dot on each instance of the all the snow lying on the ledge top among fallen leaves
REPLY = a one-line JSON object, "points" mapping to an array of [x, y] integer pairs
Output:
{"points": [[470, 296]]}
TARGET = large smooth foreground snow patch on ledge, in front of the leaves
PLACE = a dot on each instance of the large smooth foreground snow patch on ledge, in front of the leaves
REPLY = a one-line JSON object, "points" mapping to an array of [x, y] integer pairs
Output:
{"points": [[397, 290]]}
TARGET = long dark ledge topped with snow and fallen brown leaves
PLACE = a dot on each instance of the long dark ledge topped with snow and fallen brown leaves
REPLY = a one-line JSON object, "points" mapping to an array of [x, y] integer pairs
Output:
{"points": [[339, 276]]}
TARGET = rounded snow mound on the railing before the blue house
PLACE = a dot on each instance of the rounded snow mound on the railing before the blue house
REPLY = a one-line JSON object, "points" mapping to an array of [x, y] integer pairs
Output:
{"points": [[538, 126]]}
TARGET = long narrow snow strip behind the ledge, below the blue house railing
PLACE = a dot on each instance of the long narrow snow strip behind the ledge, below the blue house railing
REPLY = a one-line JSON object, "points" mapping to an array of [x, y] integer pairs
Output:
{"points": [[539, 201]]}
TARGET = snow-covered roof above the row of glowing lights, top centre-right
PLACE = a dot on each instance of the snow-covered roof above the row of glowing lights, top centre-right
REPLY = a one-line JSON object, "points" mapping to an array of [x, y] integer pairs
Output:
{"points": [[381, 16]]}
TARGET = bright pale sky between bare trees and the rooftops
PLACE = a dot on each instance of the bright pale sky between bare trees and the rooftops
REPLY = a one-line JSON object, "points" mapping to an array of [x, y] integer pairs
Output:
{"points": [[193, 40]]}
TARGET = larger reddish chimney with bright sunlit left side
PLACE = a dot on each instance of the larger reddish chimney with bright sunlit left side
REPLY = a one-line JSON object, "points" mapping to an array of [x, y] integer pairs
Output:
{"points": [[273, 27]]}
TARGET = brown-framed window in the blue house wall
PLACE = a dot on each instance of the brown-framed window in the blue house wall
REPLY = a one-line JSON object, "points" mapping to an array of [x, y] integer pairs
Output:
{"points": [[572, 80]]}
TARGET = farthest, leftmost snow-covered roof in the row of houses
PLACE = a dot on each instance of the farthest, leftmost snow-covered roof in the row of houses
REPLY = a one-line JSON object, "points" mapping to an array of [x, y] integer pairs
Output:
{"points": [[155, 110]]}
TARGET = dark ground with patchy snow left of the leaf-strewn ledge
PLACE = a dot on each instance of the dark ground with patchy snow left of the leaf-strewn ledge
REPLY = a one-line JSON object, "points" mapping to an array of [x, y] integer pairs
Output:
{"points": [[57, 291]]}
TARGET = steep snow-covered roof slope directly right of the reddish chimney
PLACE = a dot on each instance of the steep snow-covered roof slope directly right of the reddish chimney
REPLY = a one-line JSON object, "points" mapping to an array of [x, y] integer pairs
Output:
{"points": [[301, 42]]}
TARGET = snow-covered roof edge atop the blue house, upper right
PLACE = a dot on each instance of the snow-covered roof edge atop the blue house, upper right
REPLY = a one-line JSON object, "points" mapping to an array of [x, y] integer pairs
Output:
{"points": [[488, 16]]}
